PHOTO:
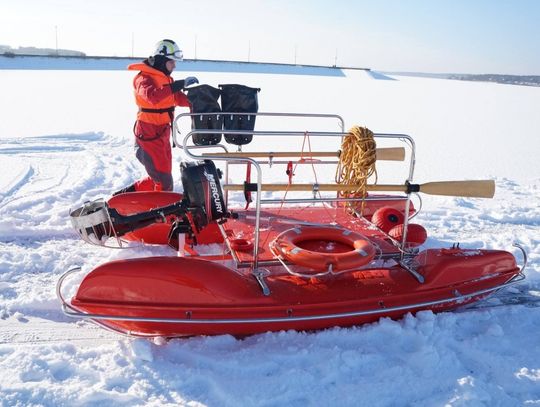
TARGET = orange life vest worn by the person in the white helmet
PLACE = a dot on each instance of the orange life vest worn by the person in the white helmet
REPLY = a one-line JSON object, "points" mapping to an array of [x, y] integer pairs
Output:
{"points": [[156, 112]]}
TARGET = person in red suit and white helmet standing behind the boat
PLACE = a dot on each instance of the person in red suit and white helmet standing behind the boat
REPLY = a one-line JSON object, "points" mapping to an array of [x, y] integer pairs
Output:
{"points": [[156, 95]]}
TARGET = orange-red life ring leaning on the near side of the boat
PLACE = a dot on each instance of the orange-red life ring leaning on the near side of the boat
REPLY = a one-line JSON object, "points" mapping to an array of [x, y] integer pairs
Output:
{"points": [[292, 245]]}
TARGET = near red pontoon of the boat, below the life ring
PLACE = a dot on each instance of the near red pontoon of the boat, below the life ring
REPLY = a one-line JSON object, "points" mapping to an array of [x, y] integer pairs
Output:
{"points": [[199, 297]]}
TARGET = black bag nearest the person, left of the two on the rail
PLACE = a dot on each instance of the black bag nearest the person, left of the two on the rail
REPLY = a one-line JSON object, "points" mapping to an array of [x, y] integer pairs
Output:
{"points": [[204, 99]]}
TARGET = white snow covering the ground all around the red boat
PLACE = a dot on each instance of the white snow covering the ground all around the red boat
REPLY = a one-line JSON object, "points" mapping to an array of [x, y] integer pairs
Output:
{"points": [[65, 138]]}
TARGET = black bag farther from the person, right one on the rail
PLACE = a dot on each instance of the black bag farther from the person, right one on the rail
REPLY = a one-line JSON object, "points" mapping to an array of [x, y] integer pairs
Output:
{"points": [[239, 99]]}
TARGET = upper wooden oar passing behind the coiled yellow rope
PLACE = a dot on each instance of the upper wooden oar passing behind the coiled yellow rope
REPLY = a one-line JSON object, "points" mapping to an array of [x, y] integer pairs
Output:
{"points": [[387, 154]]}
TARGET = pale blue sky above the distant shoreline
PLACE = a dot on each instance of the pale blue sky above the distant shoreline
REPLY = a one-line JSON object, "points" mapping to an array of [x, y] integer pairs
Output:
{"points": [[474, 36]]}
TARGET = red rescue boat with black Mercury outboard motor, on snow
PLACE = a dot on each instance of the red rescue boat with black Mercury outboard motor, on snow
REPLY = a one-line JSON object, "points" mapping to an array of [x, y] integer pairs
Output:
{"points": [[304, 264]]}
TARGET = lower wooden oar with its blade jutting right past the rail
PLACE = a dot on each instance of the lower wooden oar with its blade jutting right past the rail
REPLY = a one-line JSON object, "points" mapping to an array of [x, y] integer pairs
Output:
{"points": [[474, 189]]}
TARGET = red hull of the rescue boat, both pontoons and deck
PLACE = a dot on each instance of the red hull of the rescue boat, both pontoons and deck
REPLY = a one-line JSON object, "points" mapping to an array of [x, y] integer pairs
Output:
{"points": [[211, 294]]}
